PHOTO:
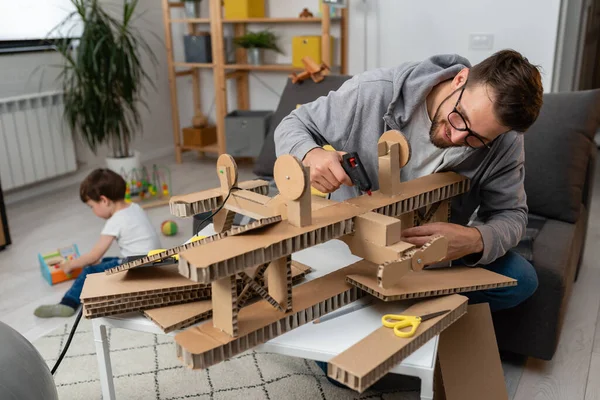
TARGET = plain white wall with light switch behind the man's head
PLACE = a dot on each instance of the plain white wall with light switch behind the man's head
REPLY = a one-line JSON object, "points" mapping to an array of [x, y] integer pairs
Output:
{"points": [[401, 31]]}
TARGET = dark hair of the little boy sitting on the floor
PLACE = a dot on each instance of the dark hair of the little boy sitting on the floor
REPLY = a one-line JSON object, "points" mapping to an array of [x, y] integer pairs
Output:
{"points": [[102, 182]]}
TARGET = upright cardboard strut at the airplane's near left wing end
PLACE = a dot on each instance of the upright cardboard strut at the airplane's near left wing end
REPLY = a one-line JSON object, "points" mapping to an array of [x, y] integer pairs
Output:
{"points": [[224, 305]]}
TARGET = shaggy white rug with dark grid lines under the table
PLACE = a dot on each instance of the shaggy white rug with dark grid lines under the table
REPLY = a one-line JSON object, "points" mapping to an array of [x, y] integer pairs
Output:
{"points": [[145, 367]]}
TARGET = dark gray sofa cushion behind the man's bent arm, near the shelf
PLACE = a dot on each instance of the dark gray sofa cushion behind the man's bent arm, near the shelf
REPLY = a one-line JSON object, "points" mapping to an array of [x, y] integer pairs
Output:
{"points": [[293, 94]]}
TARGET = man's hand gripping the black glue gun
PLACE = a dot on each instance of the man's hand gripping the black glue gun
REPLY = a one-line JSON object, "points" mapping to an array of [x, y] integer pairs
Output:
{"points": [[326, 171]]}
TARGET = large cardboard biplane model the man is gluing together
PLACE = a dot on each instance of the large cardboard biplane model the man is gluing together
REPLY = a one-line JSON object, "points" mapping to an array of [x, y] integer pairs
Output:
{"points": [[294, 220]]}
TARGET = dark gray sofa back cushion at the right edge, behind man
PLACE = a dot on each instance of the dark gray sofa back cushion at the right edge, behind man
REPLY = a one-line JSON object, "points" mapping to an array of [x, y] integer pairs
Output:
{"points": [[557, 149]]}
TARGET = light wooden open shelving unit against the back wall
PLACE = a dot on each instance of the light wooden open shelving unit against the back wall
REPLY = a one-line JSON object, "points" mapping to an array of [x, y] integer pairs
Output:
{"points": [[222, 74]]}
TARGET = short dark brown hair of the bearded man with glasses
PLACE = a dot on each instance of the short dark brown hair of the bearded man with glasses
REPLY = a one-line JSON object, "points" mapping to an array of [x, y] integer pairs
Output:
{"points": [[517, 85]]}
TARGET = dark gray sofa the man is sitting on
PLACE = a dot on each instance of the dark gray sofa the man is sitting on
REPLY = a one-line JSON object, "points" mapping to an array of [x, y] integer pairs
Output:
{"points": [[559, 172]]}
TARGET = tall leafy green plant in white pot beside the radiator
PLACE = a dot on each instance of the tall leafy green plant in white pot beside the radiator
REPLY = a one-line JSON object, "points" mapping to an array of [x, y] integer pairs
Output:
{"points": [[103, 79]]}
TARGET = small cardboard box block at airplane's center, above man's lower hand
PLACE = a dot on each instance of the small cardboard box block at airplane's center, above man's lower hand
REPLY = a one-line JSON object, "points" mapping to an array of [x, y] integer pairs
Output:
{"points": [[377, 228]]}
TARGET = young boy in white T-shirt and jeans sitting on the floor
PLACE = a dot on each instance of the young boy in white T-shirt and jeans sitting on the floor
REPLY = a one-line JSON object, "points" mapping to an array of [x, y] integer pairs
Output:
{"points": [[104, 192]]}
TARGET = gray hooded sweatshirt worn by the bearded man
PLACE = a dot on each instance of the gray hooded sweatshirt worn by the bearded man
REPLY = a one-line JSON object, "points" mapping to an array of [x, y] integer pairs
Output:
{"points": [[354, 117]]}
